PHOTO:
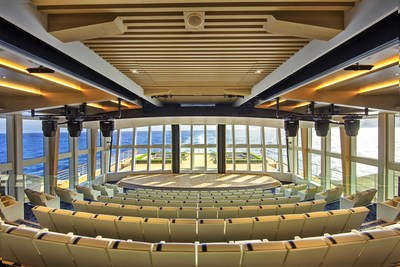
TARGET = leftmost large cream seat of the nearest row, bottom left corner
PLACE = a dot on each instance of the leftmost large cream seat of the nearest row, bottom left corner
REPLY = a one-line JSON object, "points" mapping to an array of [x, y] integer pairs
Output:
{"points": [[19, 240]]}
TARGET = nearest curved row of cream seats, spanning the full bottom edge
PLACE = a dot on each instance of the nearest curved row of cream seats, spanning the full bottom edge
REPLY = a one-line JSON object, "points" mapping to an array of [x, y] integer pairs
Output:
{"points": [[41, 248]]}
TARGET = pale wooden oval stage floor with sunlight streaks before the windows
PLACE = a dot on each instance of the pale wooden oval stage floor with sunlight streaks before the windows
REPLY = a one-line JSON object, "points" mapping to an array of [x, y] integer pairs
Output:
{"points": [[205, 181]]}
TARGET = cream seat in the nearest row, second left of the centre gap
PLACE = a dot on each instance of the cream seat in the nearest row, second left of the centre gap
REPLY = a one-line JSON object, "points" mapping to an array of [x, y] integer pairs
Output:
{"points": [[130, 254]]}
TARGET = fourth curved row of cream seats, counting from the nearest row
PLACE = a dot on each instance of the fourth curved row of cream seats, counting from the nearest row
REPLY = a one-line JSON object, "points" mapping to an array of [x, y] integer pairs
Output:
{"points": [[201, 203]]}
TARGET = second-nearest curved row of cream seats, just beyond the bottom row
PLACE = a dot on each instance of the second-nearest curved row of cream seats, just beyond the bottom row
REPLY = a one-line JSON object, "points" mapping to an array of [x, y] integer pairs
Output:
{"points": [[205, 230]]}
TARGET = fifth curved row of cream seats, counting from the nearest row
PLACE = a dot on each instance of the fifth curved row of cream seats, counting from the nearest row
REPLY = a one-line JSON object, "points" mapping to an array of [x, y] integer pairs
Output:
{"points": [[199, 198]]}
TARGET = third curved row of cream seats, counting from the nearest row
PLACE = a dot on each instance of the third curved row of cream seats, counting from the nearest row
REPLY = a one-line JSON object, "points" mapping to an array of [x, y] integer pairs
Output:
{"points": [[197, 213]]}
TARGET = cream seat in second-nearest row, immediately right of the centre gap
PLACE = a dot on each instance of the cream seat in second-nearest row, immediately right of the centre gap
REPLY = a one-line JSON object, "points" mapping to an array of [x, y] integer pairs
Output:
{"points": [[211, 230]]}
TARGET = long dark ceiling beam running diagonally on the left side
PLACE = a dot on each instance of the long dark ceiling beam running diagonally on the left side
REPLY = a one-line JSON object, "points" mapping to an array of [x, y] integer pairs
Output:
{"points": [[18, 40]]}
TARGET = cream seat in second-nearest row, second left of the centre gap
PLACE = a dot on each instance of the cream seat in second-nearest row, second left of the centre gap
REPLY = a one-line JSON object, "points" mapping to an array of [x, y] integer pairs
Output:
{"points": [[155, 229]]}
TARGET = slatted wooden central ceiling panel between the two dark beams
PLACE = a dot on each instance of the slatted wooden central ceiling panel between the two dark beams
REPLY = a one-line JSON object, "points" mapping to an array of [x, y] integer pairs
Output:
{"points": [[185, 51]]}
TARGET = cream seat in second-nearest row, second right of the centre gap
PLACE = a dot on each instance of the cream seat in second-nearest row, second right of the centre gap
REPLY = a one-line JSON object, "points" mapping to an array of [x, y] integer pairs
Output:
{"points": [[238, 229]]}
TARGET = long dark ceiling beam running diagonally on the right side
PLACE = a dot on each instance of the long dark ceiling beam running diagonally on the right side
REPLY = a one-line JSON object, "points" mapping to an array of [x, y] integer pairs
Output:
{"points": [[383, 34]]}
